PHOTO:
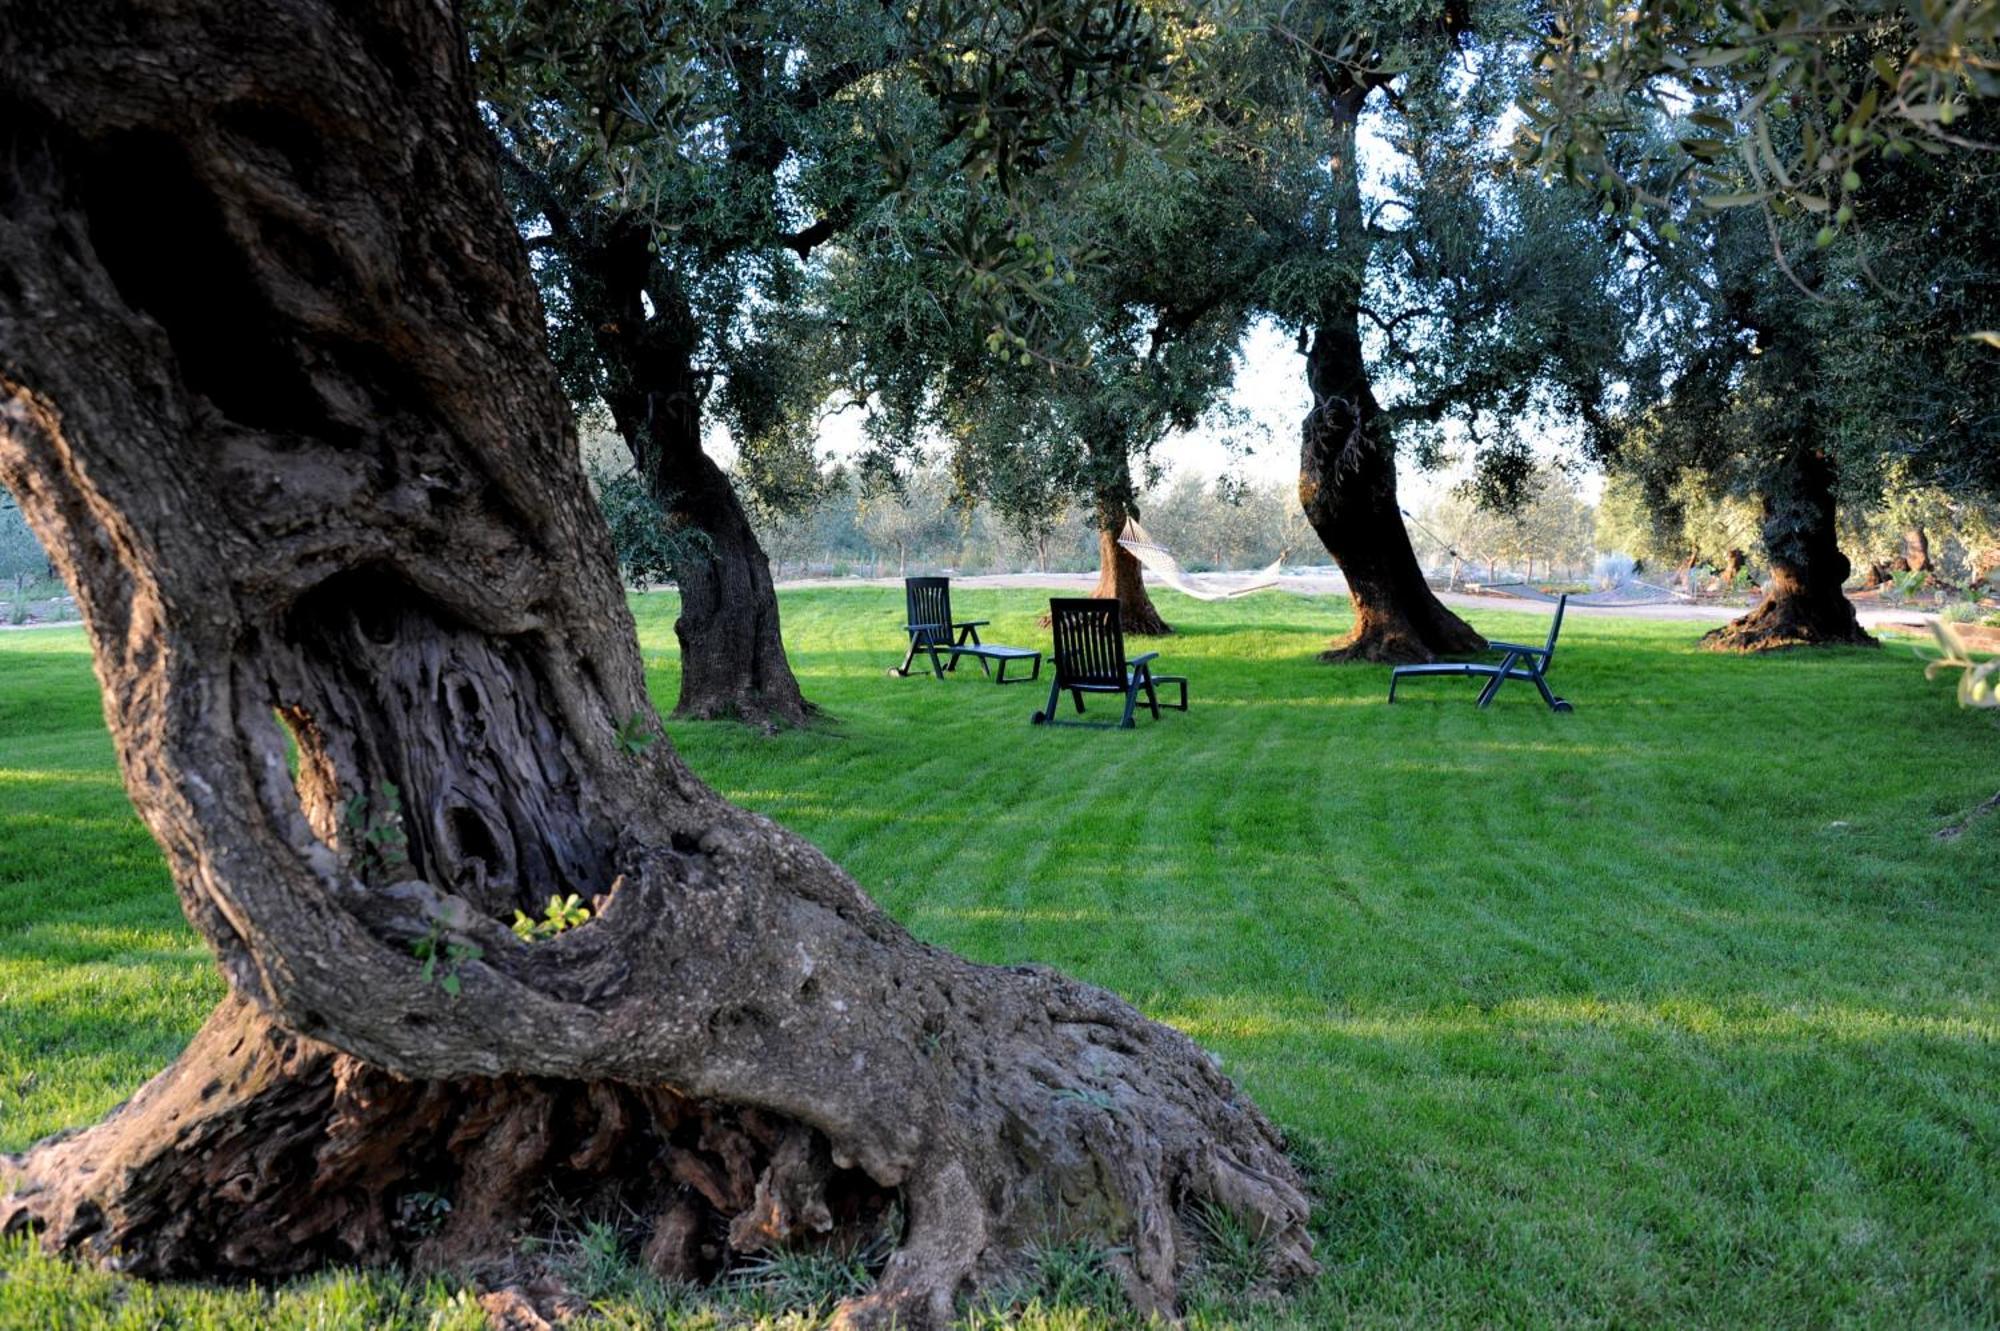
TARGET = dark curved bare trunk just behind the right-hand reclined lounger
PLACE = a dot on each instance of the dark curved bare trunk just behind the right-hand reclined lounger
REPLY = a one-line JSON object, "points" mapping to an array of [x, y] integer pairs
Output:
{"points": [[1347, 485]]}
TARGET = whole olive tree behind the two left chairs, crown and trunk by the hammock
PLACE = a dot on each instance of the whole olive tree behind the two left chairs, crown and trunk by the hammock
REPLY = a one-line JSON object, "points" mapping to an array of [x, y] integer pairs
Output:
{"points": [[1151, 333]]}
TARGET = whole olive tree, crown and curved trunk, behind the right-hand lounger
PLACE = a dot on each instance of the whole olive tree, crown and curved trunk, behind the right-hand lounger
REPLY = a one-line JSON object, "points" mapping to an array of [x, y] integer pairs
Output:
{"points": [[1439, 291]]}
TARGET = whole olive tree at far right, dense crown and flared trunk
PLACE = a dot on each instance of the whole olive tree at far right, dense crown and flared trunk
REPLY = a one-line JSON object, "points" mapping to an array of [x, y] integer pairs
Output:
{"points": [[1809, 387]]}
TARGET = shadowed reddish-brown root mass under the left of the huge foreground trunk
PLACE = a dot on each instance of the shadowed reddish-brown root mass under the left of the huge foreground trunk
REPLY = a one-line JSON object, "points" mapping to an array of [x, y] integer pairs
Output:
{"points": [[261, 1154]]}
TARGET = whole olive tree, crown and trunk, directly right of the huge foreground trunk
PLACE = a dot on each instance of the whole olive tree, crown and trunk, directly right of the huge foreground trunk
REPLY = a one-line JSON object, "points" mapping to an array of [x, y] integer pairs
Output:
{"points": [[653, 205]]}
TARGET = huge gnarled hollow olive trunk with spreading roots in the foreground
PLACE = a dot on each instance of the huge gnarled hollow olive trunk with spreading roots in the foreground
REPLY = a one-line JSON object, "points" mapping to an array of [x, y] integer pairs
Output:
{"points": [[273, 391]]}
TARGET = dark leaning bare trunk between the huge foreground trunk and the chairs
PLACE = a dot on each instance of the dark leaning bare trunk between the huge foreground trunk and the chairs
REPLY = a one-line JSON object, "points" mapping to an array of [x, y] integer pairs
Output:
{"points": [[731, 651]]}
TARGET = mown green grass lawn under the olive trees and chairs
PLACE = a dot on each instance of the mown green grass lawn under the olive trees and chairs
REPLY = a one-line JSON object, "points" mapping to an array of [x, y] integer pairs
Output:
{"points": [[1669, 1012]]}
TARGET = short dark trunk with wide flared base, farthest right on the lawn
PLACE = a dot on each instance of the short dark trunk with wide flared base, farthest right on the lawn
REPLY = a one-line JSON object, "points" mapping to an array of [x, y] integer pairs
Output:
{"points": [[1805, 605]]}
